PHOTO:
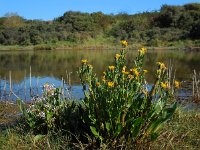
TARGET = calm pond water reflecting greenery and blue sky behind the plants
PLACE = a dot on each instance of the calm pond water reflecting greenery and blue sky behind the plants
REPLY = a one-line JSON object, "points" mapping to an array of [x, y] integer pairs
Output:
{"points": [[55, 65]]}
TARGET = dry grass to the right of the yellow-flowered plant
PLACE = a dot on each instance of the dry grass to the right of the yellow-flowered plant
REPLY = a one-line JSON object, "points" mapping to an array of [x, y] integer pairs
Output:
{"points": [[182, 132]]}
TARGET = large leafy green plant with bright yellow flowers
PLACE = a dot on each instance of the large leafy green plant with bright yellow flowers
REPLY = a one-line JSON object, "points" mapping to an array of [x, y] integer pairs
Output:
{"points": [[121, 108]]}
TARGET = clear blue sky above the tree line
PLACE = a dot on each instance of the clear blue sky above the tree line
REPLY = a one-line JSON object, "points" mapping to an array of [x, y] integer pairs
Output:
{"points": [[50, 9]]}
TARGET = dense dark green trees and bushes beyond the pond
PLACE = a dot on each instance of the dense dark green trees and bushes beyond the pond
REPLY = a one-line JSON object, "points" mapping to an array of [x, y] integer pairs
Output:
{"points": [[171, 23]]}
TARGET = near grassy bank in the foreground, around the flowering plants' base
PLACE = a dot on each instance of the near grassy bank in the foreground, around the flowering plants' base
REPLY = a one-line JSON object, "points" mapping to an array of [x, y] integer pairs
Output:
{"points": [[182, 132]]}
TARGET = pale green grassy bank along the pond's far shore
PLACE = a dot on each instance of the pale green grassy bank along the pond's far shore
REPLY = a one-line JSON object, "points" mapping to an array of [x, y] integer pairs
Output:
{"points": [[104, 43]]}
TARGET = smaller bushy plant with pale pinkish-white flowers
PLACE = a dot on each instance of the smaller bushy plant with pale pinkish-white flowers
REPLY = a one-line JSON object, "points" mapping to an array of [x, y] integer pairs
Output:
{"points": [[51, 111]]}
